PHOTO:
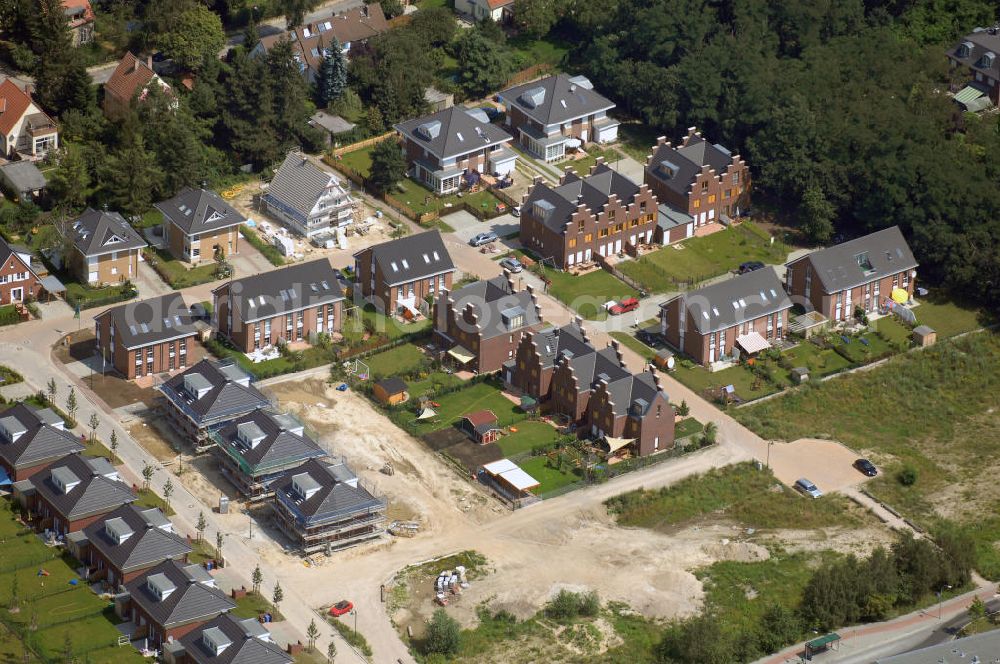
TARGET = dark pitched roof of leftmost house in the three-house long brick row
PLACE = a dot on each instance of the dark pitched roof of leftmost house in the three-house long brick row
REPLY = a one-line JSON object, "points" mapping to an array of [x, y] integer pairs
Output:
{"points": [[152, 321]]}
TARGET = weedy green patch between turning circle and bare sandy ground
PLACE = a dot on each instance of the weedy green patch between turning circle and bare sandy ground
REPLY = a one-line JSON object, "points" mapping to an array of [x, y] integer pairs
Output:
{"points": [[741, 493]]}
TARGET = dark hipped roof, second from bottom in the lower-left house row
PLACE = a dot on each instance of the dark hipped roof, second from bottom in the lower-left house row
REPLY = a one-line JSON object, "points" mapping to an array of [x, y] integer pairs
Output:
{"points": [[187, 598]]}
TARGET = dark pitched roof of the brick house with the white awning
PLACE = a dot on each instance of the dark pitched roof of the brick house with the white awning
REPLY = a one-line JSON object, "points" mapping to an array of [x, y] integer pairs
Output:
{"points": [[733, 301]]}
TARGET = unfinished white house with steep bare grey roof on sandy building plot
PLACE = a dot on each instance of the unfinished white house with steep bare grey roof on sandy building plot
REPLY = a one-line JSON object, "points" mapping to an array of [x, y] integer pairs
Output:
{"points": [[307, 198]]}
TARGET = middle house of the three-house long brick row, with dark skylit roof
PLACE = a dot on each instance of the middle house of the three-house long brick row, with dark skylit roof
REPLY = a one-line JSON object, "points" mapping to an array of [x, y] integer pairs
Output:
{"points": [[284, 306]]}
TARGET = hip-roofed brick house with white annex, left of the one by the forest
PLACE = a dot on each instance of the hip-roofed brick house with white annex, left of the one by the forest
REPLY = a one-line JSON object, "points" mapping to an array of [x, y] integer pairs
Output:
{"points": [[444, 148]]}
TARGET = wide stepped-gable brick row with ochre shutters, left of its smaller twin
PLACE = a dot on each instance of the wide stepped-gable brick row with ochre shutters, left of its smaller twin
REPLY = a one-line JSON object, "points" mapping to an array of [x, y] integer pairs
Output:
{"points": [[586, 219]]}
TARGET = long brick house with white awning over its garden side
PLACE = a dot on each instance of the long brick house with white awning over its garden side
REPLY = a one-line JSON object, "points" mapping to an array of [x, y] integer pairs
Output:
{"points": [[745, 314]]}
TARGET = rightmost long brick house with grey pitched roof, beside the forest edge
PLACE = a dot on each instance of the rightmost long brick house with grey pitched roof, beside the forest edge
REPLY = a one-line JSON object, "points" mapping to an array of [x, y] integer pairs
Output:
{"points": [[861, 273]]}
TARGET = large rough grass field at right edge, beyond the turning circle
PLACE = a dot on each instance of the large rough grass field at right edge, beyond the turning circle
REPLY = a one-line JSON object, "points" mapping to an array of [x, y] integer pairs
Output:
{"points": [[933, 411]]}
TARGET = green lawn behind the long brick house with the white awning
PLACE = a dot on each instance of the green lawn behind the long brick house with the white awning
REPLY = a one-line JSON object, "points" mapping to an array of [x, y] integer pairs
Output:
{"points": [[701, 258]]}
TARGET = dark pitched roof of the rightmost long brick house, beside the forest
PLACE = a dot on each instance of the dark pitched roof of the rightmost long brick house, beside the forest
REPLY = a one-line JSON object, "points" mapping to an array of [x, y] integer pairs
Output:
{"points": [[862, 260]]}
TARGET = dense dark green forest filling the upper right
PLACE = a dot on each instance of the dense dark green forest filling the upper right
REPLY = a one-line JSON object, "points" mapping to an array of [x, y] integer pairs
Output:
{"points": [[838, 105]]}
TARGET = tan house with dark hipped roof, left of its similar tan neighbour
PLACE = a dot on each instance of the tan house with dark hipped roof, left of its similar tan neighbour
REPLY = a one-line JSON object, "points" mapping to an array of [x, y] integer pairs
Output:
{"points": [[105, 248]]}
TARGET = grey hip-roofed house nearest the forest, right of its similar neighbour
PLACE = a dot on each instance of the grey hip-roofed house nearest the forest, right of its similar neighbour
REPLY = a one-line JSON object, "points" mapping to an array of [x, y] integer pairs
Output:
{"points": [[559, 112]]}
